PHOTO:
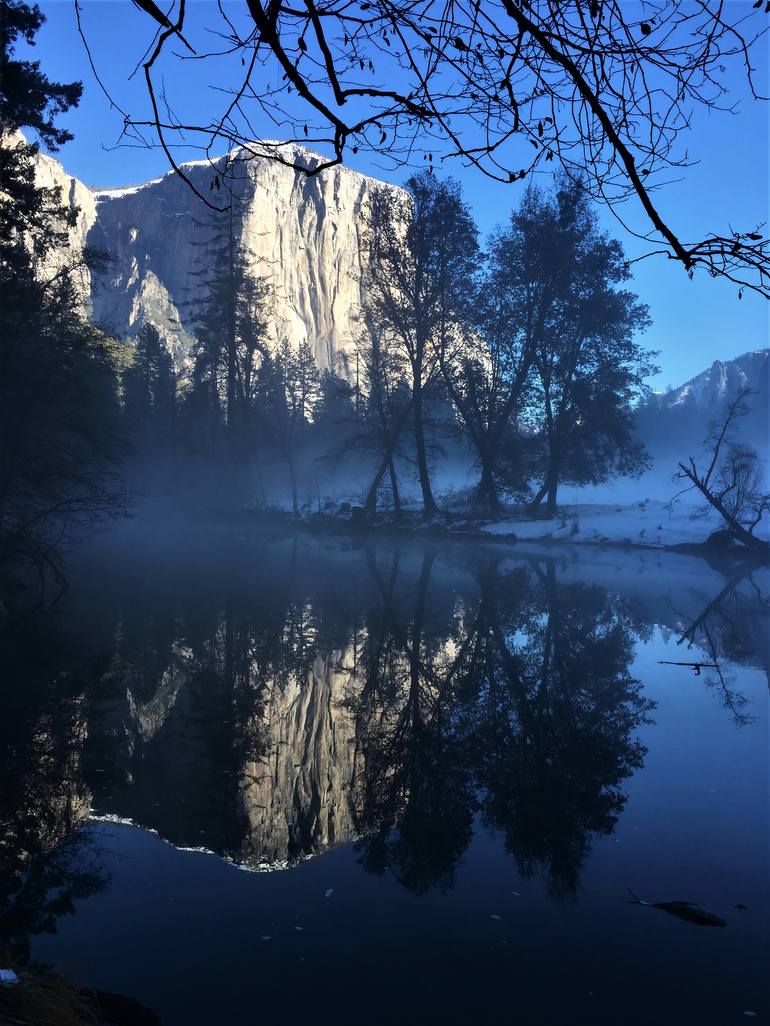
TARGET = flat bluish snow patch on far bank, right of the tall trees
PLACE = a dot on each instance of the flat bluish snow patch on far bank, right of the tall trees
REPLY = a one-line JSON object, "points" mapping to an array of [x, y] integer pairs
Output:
{"points": [[651, 524]]}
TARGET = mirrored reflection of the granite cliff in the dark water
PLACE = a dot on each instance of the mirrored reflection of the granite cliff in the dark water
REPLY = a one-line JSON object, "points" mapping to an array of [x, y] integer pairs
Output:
{"points": [[267, 790]]}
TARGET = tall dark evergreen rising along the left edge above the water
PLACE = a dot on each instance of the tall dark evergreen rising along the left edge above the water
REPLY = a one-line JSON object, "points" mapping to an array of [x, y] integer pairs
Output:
{"points": [[60, 420]]}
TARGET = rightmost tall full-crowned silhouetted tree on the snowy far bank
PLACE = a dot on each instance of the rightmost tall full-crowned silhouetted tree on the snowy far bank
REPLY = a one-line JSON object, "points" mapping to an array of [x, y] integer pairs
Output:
{"points": [[589, 367]]}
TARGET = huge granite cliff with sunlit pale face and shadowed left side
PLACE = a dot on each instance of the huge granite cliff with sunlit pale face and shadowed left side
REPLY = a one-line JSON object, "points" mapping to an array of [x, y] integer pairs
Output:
{"points": [[303, 235]]}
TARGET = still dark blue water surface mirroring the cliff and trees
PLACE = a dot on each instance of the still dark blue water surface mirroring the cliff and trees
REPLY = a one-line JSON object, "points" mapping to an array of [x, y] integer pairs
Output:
{"points": [[256, 778]]}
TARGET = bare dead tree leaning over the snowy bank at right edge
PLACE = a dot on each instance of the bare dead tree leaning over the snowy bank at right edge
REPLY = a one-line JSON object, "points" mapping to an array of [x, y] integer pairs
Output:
{"points": [[734, 483]]}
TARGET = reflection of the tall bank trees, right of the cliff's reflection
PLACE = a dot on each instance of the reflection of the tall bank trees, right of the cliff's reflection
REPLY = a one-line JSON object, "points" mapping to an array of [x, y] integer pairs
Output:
{"points": [[522, 708]]}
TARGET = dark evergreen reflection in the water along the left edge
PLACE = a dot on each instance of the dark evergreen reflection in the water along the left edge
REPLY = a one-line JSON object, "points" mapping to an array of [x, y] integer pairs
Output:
{"points": [[47, 861]]}
